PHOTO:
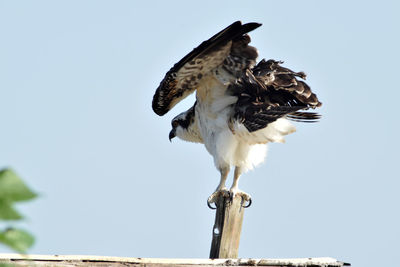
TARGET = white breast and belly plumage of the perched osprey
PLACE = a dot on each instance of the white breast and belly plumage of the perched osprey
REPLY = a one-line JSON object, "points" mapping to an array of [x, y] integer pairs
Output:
{"points": [[232, 148]]}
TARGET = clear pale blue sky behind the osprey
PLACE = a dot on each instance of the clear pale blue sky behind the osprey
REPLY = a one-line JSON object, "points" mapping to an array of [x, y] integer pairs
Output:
{"points": [[76, 84]]}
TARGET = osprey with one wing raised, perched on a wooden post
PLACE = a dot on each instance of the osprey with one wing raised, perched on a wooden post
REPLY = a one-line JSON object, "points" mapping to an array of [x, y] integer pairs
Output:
{"points": [[240, 105]]}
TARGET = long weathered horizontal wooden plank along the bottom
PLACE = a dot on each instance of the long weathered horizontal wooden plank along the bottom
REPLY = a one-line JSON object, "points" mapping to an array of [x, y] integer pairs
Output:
{"points": [[97, 261]]}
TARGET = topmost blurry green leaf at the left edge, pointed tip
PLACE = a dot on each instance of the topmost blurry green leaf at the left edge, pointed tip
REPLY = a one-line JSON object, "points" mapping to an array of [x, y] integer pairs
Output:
{"points": [[12, 188]]}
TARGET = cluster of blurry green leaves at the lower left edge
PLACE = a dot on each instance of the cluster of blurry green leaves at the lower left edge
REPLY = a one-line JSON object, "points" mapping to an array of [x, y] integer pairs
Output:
{"points": [[12, 190]]}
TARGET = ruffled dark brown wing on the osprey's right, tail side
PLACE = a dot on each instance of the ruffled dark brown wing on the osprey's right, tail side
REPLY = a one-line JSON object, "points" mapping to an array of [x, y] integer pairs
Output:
{"points": [[270, 91]]}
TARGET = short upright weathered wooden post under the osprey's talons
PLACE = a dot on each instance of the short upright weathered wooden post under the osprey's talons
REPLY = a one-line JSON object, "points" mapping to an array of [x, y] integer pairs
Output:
{"points": [[227, 227]]}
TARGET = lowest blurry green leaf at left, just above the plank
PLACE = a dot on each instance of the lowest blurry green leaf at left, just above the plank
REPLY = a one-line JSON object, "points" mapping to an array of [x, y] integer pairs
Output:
{"points": [[18, 240]]}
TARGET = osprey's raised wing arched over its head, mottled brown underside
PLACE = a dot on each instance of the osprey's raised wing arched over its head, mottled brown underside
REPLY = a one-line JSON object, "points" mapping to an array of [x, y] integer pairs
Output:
{"points": [[228, 48]]}
